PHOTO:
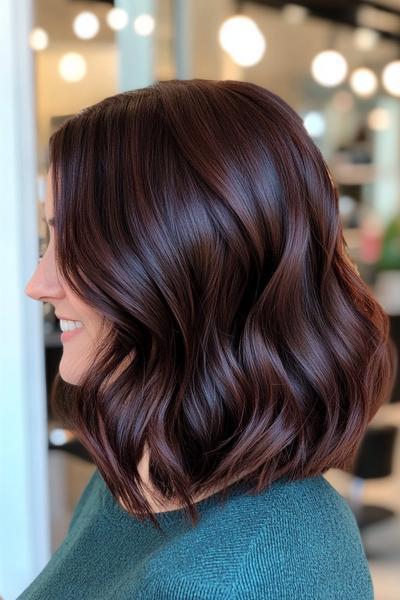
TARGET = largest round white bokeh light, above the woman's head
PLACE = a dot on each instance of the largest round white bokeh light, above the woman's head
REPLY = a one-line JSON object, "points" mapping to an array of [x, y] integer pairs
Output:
{"points": [[241, 38]]}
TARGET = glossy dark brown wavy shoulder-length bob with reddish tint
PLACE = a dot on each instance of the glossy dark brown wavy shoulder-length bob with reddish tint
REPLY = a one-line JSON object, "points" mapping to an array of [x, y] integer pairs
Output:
{"points": [[201, 221]]}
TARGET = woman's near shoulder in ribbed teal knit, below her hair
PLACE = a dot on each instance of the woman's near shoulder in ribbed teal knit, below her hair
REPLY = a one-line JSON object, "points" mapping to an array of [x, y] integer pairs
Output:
{"points": [[295, 540]]}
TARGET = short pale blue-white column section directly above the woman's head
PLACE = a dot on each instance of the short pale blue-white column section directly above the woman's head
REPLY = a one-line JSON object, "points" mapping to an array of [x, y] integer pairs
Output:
{"points": [[135, 52]]}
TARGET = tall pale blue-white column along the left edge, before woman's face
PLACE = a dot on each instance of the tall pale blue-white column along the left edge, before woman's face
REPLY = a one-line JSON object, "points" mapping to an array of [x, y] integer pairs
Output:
{"points": [[24, 505]]}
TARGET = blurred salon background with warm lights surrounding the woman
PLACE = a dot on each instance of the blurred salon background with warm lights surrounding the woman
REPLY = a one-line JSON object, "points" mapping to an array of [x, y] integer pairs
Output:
{"points": [[336, 62]]}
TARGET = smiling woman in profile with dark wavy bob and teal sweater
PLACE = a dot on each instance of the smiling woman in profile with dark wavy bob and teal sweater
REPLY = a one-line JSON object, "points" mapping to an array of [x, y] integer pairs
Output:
{"points": [[225, 351]]}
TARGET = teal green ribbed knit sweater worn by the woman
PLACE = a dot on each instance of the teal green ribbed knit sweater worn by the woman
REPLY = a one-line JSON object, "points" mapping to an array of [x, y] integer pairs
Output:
{"points": [[297, 540]]}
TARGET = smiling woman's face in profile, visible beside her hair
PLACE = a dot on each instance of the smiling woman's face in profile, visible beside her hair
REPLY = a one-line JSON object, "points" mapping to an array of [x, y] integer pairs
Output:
{"points": [[44, 285]]}
